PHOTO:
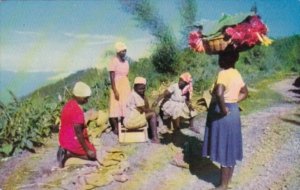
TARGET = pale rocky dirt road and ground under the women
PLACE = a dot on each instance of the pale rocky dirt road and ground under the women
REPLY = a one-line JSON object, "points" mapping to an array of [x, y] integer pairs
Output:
{"points": [[271, 139]]}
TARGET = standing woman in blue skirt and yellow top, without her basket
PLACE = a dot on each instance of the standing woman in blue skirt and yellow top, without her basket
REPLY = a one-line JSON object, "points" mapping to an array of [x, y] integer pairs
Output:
{"points": [[223, 137]]}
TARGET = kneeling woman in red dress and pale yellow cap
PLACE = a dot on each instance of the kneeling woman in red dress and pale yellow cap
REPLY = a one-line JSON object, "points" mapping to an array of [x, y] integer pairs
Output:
{"points": [[73, 136]]}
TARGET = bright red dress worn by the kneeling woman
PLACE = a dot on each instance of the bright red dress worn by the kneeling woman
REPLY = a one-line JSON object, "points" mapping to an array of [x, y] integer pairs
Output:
{"points": [[72, 114]]}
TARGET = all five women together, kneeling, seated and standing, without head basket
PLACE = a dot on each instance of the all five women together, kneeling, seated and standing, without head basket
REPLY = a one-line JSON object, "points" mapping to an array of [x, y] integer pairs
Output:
{"points": [[131, 108]]}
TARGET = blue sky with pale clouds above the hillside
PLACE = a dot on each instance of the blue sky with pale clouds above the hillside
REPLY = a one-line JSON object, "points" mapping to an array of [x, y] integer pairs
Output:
{"points": [[64, 36]]}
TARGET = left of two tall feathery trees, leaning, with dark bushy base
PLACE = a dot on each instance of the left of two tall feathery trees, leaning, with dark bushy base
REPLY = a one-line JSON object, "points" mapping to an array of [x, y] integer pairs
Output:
{"points": [[164, 55]]}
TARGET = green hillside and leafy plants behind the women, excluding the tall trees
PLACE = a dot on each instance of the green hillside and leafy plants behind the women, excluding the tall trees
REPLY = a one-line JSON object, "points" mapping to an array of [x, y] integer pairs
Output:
{"points": [[259, 67]]}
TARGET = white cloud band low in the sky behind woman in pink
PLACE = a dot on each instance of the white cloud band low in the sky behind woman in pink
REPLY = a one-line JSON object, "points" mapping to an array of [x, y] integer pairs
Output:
{"points": [[65, 56]]}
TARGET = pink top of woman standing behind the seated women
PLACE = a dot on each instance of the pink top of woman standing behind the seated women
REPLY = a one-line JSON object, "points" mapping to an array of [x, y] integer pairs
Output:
{"points": [[121, 69]]}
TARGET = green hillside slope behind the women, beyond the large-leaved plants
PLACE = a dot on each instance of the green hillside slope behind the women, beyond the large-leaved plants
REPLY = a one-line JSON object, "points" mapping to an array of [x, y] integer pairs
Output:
{"points": [[257, 64]]}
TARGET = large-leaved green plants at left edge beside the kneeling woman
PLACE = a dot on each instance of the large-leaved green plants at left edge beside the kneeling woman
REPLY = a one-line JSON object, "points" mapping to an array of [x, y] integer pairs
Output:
{"points": [[25, 123]]}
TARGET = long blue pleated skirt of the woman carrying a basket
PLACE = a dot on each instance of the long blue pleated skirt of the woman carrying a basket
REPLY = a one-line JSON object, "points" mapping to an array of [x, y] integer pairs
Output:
{"points": [[223, 136]]}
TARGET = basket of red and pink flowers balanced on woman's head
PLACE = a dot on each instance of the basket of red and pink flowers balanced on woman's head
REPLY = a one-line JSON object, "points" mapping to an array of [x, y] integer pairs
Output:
{"points": [[239, 32]]}
